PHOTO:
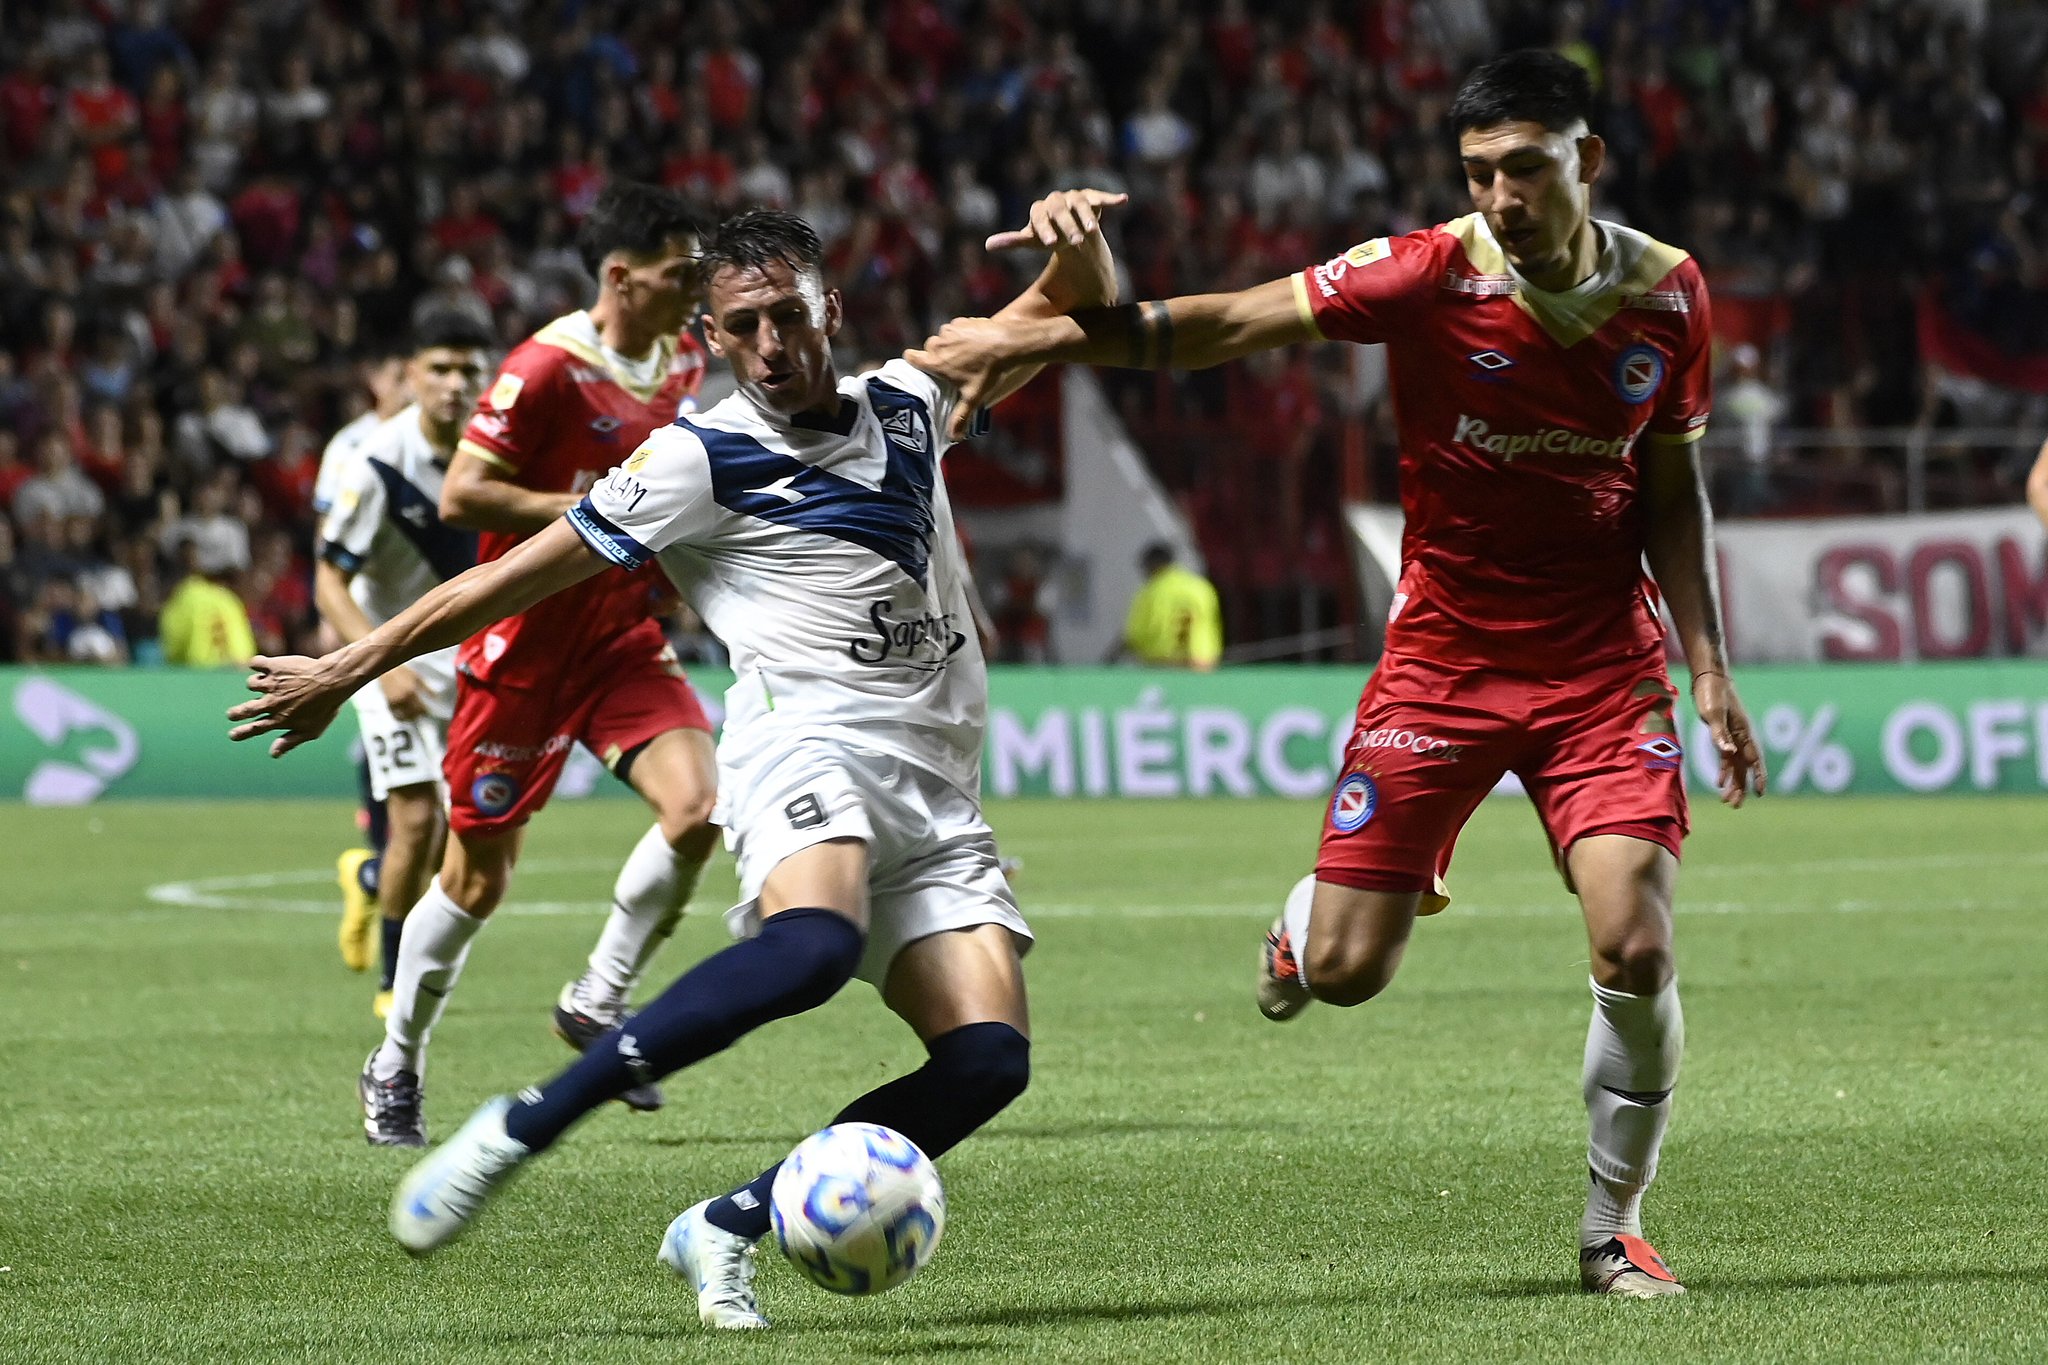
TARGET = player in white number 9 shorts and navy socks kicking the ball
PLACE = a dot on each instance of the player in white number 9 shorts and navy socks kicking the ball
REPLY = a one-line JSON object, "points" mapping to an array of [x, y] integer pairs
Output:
{"points": [[808, 525]]}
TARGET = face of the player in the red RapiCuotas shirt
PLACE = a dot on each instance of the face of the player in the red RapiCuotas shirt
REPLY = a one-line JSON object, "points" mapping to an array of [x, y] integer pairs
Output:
{"points": [[1535, 189]]}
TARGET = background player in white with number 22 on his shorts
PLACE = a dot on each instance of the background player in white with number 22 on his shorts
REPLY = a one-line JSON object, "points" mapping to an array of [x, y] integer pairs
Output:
{"points": [[384, 547]]}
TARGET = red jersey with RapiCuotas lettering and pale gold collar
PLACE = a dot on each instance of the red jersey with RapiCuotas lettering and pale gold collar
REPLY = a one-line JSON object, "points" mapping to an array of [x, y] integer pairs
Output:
{"points": [[1521, 416]]}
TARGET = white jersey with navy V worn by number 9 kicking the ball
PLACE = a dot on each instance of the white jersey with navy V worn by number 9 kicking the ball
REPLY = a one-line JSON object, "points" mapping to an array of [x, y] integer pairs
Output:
{"points": [[824, 556]]}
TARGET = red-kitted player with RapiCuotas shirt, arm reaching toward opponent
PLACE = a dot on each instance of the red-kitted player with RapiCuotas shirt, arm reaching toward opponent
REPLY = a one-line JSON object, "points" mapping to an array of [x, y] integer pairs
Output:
{"points": [[1551, 380]]}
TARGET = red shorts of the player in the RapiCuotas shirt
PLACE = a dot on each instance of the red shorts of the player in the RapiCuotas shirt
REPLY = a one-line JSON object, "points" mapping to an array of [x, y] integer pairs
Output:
{"points": [[1598, 754]]}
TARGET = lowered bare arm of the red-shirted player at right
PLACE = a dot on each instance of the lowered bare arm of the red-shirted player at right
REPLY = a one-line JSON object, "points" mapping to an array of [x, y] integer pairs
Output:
{"points": [[1680, 549]]}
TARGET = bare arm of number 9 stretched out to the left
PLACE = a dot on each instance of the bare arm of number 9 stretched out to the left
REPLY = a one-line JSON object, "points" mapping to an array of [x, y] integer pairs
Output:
{"points": [[300, 697]]}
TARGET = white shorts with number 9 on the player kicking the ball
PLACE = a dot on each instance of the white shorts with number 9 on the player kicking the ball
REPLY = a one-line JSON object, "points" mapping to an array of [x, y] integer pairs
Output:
{"points": [[933, 858]]}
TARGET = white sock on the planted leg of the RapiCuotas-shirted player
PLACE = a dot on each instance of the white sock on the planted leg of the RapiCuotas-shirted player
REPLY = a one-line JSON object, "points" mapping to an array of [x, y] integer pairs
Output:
{"points": [[1631, 1063]]}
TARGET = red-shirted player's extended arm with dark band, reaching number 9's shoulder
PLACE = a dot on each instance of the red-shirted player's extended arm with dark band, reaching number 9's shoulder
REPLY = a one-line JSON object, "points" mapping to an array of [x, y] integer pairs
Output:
{"points": [[1191, 333]]}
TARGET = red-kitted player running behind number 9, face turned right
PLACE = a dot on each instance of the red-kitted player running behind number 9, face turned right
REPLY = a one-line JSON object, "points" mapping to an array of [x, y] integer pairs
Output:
{"points": [[587, 666]]}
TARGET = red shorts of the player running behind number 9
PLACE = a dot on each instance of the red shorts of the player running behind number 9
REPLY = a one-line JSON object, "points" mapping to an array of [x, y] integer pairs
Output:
{"points": [[513, 736]]}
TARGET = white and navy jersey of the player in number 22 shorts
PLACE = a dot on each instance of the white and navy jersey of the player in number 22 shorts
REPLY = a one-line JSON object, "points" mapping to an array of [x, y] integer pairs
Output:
{"points": [[386, 531]]}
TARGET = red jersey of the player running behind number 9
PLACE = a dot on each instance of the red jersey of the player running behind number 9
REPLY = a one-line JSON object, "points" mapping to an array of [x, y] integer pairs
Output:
{"points": [[562, 412]]}
